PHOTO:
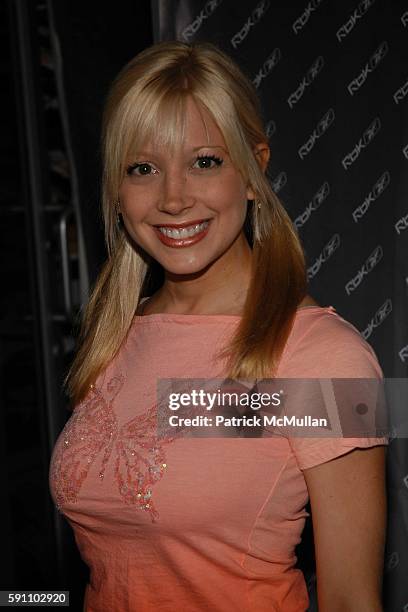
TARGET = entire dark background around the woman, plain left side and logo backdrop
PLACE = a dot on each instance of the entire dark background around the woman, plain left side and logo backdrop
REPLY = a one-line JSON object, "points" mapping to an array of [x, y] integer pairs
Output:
{"points": [[333, 84]]}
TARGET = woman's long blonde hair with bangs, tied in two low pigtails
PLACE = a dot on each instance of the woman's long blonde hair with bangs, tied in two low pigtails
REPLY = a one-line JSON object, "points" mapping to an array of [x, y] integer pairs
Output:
{"points": [[147, 101]]}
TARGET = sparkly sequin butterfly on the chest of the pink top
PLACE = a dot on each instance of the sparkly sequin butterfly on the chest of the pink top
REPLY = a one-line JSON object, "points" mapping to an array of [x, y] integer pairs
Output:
{"points": [[92, 434]]}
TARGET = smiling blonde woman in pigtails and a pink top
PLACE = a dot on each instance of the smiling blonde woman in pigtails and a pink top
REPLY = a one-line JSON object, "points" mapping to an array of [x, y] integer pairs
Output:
{"points": [[206, 279]]}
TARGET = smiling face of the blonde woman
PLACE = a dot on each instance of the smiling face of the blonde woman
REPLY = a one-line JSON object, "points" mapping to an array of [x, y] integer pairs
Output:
{"points": [[186, 207]]}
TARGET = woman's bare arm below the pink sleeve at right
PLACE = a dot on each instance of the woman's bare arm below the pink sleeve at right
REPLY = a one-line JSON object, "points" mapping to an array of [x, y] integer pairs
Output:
{"points": [[348, 502]]}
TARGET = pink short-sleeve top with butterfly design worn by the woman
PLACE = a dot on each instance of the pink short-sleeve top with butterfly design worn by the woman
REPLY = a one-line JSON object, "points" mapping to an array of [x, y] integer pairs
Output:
{"points": [[194, 524]]}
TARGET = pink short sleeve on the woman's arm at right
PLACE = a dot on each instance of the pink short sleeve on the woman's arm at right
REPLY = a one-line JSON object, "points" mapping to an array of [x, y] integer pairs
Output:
{"points": [[326, 346]]}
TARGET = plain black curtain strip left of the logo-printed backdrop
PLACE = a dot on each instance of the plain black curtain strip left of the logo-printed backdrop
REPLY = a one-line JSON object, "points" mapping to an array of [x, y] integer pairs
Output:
{"points": [[92, 43]]}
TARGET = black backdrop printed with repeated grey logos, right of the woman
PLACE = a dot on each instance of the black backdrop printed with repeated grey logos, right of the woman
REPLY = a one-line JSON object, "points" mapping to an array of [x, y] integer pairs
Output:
{"points": [[333, 83]]}
